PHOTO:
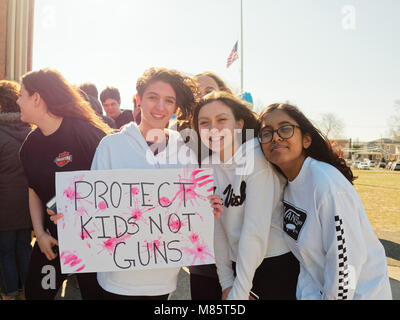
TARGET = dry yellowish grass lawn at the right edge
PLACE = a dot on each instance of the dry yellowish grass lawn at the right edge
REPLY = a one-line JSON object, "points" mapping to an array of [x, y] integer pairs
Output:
{"points": [[379, 191]]}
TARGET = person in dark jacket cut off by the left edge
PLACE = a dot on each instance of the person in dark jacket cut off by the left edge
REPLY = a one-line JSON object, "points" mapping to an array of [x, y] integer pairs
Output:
{"points": [[15, 222]]}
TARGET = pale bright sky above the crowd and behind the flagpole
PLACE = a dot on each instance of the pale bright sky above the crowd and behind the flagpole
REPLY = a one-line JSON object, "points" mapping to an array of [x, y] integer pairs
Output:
{"points": [[325, 56]]}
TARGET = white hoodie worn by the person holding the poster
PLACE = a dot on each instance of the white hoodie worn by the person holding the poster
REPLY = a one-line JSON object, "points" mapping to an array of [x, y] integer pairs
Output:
{"points": [[129, 150]]}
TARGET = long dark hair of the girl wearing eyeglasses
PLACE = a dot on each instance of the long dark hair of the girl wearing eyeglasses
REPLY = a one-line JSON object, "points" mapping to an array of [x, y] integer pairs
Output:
{"points": [[320, 148]]}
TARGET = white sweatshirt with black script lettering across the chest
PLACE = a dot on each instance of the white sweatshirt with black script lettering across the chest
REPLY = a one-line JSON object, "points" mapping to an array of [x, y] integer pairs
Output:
{"points": [[250, 228]]}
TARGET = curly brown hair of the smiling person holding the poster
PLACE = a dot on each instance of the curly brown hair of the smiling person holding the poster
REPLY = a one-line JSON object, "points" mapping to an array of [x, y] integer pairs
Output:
{"points": [[186, 91]]}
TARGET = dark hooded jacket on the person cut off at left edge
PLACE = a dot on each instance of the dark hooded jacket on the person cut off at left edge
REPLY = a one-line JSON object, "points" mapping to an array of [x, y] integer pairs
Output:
{"points": [[14, 208]]}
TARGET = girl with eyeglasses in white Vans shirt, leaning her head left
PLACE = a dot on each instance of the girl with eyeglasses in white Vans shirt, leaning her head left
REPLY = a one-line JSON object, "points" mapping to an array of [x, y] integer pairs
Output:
{"points": [[324, 221]]}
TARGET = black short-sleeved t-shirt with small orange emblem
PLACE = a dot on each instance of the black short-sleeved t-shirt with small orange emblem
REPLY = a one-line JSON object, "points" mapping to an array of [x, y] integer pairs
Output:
{"points": [[70, 148]]}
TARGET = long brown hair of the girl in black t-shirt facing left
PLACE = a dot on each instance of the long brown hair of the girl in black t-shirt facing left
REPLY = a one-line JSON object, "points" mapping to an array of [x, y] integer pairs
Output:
{"points": [[61, 98]]}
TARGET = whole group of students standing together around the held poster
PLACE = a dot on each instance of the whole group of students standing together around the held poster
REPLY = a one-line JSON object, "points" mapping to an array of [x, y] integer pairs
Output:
{"points": [[288, 222]]}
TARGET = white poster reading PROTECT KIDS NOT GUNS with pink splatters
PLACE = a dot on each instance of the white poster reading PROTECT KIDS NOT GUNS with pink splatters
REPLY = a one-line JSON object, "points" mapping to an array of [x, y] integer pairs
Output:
{"points": [[116, 220]]}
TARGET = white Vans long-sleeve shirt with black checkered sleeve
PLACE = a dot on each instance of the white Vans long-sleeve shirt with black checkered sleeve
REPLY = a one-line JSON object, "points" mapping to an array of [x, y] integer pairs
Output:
{"points": [[328, 231]]}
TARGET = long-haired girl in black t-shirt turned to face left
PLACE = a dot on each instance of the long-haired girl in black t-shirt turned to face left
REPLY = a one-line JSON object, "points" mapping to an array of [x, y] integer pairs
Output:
{"points": [[67, 134]]}
